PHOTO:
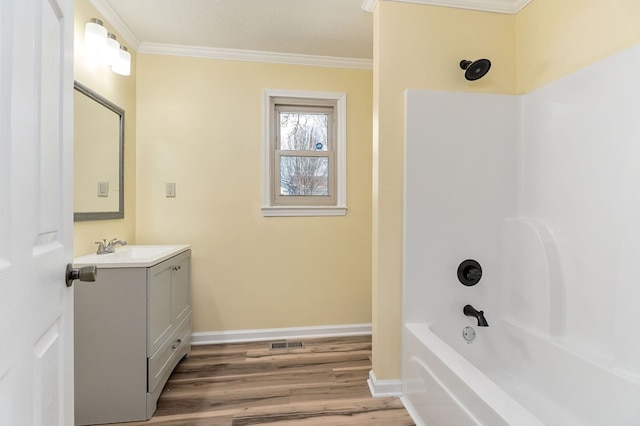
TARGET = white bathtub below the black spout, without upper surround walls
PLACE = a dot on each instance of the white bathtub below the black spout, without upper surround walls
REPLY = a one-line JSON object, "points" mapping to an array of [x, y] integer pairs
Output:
{"points": [[520, 379]]}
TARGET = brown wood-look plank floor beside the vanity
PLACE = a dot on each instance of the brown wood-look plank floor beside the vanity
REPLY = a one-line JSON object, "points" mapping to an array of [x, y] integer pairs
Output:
{"points": [[323, 383]]}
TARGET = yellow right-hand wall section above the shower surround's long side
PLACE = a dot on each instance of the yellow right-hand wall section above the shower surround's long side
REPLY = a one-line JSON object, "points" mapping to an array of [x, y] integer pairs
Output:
{"points": [[555, 38]]}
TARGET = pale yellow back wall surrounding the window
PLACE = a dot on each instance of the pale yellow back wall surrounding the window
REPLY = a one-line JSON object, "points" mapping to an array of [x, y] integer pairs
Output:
{"points": [[199, 125]]}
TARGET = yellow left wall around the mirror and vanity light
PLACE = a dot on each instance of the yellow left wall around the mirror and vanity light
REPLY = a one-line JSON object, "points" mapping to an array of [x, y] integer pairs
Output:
{"points": [[120, 90]]}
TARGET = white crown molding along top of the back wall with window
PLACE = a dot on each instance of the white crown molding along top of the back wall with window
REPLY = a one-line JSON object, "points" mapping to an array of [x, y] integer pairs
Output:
{"points": [[254, 56]]}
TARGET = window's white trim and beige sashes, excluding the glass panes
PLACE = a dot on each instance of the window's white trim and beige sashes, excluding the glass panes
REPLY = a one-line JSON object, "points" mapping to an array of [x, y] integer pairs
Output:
{"points": [[274, 204]]}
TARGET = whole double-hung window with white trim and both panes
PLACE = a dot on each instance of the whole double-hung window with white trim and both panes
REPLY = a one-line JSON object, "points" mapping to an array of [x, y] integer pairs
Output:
{"points": [[304, 153]]}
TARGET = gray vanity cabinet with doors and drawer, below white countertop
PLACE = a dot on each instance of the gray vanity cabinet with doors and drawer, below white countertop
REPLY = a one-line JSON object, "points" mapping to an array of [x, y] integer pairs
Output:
{"points": [[132, 327]]}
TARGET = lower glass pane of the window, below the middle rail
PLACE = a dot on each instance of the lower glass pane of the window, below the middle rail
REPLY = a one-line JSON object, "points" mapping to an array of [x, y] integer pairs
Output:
{"points": [[304, 175]]}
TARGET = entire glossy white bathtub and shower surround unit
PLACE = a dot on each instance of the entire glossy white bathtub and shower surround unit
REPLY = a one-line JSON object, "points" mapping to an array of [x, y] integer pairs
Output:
{"points": [[544, 191]]}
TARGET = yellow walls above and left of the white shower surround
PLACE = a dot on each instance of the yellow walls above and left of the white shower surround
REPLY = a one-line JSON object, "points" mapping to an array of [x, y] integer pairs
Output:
{"points": [[420, 46]]}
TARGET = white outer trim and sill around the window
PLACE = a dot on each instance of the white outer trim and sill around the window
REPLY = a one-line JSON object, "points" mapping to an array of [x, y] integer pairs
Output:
{"points": [[340, 209]]}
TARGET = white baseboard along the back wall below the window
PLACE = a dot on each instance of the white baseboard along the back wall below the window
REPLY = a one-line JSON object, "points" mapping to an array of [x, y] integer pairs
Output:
{"points": [[238, 336]]}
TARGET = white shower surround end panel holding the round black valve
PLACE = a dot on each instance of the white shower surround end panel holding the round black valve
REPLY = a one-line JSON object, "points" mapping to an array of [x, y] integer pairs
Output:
{"points": [[460, 184]]}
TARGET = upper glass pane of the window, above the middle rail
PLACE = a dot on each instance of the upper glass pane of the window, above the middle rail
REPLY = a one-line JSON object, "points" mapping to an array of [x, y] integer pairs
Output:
{"points": [[303, 131]]}
